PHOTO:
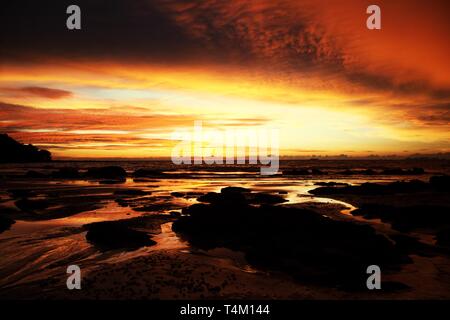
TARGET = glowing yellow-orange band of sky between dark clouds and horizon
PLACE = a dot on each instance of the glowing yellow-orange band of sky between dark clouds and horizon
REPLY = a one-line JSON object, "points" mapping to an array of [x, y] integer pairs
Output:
{"points": [[127, 110]]}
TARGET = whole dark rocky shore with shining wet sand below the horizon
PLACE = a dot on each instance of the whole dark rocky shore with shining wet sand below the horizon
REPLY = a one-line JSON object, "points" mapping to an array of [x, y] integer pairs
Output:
{"points": [[151, 230]]}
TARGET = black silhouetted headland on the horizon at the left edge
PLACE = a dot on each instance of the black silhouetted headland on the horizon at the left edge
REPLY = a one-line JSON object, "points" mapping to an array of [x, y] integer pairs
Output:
{"points": [[14, 151]]}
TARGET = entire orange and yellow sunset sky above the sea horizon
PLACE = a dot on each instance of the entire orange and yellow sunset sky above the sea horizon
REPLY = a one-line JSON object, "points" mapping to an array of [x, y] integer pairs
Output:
{"points": [[138, 70]]}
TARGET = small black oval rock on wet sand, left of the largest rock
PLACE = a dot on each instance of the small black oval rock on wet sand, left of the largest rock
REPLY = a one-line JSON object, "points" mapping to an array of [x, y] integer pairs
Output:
{"points": [[114, 235]]}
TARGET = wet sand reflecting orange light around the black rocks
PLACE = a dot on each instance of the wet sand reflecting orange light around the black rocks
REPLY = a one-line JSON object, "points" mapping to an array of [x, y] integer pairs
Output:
{"points": [[42, 242]]}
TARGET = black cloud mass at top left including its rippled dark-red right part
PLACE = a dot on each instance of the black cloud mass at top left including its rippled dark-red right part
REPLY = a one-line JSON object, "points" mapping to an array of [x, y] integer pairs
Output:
{"points": [[163, 30]]}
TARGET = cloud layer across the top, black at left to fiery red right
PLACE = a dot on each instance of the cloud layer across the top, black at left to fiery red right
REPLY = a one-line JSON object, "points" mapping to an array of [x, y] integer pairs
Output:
{"points": [[289, 37]]}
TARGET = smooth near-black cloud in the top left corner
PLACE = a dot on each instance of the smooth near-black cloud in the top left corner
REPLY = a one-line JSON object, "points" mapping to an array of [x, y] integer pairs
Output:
{"points": [[110, 29]]}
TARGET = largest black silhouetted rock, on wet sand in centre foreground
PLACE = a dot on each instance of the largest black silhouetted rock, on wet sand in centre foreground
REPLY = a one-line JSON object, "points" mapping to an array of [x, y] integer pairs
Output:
{"points": [[302, 243]]}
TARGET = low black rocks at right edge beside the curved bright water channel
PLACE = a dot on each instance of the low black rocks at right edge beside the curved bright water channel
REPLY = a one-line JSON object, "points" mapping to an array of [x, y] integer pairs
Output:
{"points": [[403, 216]]}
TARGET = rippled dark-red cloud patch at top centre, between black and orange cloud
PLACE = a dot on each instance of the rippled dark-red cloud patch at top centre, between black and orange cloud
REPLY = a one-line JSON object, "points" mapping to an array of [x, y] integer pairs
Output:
{"points": [[256, 30]]}
